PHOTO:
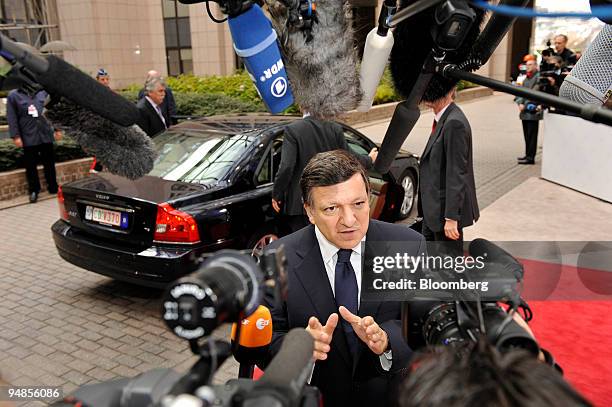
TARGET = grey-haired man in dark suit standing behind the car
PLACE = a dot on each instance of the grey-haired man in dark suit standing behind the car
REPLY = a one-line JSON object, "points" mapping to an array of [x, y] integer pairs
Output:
{"points": [[152, 120]]}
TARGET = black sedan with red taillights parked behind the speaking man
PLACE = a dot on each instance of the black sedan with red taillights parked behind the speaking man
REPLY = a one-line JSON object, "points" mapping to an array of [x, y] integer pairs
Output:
{"points": [[210, 189]]}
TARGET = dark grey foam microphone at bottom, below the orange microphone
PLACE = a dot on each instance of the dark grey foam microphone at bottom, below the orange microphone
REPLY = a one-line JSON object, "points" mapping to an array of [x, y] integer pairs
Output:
{"points": [[287, 374]]}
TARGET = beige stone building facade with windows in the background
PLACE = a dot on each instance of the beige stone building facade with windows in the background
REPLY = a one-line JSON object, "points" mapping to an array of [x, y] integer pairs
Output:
{"points": [[130, 37]]}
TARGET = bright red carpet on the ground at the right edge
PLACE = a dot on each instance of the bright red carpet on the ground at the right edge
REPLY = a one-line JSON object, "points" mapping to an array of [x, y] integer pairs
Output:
{"points": [[574, 323]]}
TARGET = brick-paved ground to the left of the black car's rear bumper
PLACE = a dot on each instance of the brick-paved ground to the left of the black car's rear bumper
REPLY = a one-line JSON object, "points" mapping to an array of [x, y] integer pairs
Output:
{"points": [[63, 326]]}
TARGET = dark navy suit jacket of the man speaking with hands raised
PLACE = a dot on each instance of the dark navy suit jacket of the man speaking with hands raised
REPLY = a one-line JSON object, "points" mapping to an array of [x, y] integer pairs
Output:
{"points": [[342, 380]]}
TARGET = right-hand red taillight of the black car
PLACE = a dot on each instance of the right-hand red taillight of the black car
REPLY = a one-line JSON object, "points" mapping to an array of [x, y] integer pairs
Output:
{"points": [[174, 226]]}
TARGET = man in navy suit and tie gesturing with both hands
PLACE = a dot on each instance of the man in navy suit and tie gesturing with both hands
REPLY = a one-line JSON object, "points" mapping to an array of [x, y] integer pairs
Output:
{"points": [[358, 351]]}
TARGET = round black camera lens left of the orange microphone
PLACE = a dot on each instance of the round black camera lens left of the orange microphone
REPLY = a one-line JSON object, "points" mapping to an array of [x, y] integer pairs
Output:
{"points": [[226, 288]]}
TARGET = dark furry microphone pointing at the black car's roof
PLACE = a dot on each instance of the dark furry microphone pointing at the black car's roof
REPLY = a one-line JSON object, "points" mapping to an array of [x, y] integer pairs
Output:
{"points": [[125, 151]]}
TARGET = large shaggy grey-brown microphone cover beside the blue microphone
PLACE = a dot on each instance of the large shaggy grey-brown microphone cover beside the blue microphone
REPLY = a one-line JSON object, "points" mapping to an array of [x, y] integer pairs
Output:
{"points": [[319, 55]]}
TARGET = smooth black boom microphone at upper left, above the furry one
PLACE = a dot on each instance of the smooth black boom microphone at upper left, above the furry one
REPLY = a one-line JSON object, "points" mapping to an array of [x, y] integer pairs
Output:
{"points": [[60, 78]]}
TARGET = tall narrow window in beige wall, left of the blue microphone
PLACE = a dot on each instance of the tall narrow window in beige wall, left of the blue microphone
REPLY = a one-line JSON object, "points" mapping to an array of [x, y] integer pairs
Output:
{"points": [[177, 31]]}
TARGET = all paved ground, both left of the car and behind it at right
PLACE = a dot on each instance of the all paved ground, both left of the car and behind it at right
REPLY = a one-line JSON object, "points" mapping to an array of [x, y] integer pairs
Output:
{"points": [[63, 326]]}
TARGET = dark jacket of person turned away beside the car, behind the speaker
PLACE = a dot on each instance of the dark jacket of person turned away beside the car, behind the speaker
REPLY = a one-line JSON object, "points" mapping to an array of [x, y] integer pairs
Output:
{"points": [[303, 140]]}
